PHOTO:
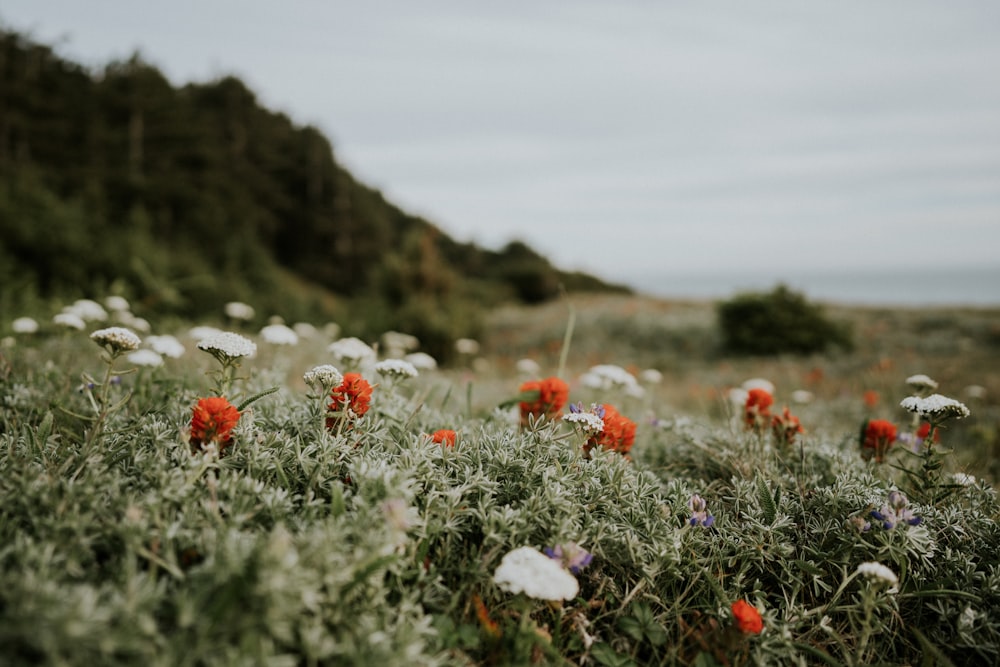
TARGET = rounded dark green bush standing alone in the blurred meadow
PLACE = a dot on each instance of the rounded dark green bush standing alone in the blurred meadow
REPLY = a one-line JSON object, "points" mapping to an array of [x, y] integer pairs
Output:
{"points": [[781, 321]]}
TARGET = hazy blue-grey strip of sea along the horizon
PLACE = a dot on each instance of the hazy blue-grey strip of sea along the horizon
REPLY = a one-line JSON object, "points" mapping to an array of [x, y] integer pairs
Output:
{"points": [[977, 286]]}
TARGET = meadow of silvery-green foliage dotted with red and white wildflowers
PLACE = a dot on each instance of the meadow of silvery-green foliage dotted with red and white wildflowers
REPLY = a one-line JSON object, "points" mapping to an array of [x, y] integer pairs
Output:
{"points": [[587, 486]]}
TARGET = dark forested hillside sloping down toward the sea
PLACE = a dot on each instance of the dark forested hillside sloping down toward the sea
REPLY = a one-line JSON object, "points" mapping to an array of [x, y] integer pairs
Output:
{"points": [[183, 198]]}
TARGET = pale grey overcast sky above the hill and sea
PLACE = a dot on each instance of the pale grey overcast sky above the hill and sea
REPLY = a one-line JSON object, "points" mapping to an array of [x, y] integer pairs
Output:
{"points": [[628, 139]]}
